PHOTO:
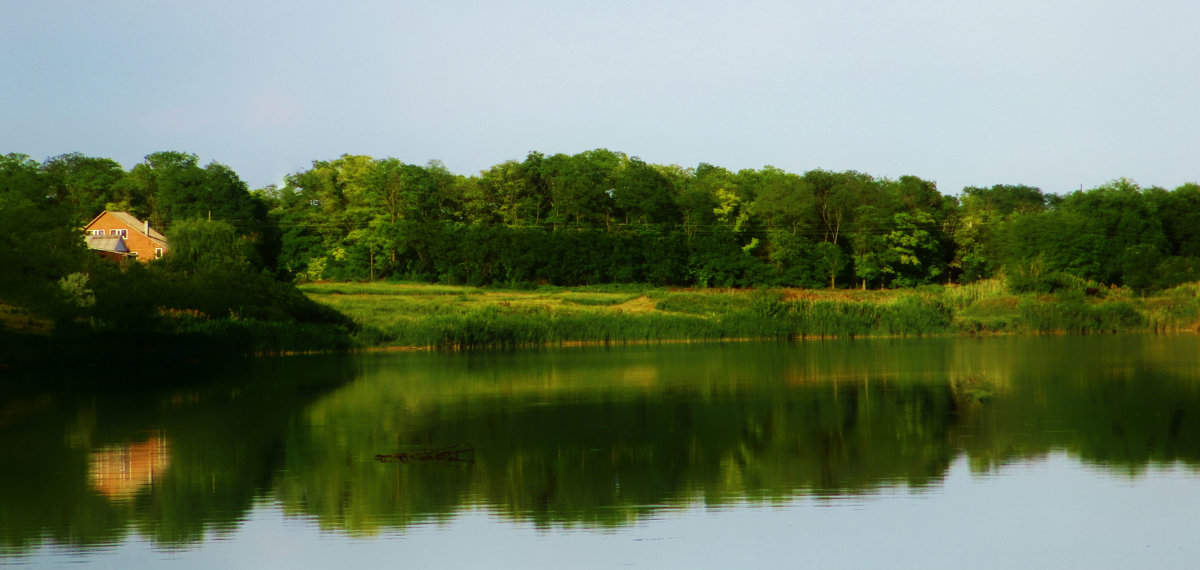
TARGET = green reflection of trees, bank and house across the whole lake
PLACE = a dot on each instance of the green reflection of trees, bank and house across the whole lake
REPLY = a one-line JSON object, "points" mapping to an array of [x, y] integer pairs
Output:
{"points": [[589, 439]]}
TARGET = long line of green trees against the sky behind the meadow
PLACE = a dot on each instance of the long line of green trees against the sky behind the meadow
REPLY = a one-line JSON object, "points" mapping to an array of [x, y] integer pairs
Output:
{"points": [[603, 217]]}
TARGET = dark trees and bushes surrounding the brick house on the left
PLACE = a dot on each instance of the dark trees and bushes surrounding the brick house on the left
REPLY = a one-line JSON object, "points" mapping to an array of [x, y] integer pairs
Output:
{"points": [[214, 292]]}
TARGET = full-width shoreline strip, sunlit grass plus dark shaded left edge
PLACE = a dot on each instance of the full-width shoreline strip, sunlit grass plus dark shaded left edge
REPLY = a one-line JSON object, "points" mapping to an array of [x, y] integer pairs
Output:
{"points": [[417, 317]]}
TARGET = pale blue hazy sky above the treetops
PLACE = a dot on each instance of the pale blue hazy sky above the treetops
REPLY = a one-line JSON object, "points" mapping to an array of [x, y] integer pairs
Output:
{"points": [[1060, 95]]}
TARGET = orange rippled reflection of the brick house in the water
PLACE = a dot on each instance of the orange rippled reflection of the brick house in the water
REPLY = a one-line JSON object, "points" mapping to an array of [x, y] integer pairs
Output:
{"points": [[119, 472]]}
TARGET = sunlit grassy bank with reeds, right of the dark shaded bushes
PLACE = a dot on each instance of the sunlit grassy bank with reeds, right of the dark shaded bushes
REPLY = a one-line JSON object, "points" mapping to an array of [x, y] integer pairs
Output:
{"points": [[409, 315]]}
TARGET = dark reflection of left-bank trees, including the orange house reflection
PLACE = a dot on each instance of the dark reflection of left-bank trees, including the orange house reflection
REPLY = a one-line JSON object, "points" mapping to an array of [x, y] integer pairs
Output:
{"points": [[83, 469]]}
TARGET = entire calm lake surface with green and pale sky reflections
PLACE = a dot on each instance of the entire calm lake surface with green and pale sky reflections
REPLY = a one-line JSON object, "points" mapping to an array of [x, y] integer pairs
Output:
{"points": [[994, 453]]}
